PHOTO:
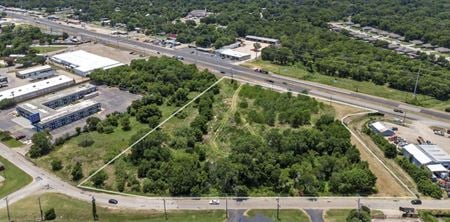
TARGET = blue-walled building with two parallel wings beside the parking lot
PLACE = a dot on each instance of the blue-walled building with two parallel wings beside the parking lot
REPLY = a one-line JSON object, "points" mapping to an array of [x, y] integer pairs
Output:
{"points": [[53, 111]]}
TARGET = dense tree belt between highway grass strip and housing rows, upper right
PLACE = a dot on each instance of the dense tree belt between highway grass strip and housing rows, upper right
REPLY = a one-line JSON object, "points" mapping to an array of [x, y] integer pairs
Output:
{"points": [[337, 55]]}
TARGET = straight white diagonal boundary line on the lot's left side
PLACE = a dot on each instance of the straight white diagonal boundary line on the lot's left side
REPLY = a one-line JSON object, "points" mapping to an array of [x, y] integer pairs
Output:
{"points": [[149, 132]]}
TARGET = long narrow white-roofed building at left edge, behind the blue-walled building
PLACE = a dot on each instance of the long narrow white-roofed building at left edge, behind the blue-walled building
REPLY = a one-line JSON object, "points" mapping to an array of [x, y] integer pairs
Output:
{"points": [[36, 89]]}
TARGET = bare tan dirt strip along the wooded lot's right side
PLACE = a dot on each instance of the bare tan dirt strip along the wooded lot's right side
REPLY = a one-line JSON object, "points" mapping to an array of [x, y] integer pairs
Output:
{"points": [[386, 184]]}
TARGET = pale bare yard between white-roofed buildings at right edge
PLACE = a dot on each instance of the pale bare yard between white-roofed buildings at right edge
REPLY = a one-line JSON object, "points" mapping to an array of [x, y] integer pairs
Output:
{"points": [[414, 129]]}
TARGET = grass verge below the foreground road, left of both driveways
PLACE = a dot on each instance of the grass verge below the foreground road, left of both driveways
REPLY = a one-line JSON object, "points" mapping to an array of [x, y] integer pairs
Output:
{"points": [[69, 209]]}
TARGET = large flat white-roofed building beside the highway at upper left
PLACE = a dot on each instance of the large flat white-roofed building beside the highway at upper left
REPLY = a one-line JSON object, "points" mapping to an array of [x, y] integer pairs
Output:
{"points": [[83, 63]]}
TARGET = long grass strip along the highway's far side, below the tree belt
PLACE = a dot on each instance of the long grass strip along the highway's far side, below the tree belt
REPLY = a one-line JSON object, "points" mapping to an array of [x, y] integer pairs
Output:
{"points": [[299, 72]]}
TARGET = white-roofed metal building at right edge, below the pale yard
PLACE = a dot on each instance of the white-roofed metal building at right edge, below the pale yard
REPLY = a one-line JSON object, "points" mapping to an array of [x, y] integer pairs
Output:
{"points": [[424, 154]]}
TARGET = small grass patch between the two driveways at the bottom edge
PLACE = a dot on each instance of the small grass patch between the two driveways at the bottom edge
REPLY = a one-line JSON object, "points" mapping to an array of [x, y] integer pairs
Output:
{"points": [[285, 215]]}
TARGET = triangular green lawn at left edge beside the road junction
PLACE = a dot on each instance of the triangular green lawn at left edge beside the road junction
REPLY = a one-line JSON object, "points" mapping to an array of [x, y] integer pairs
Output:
{"points": [[14, 178]]}
